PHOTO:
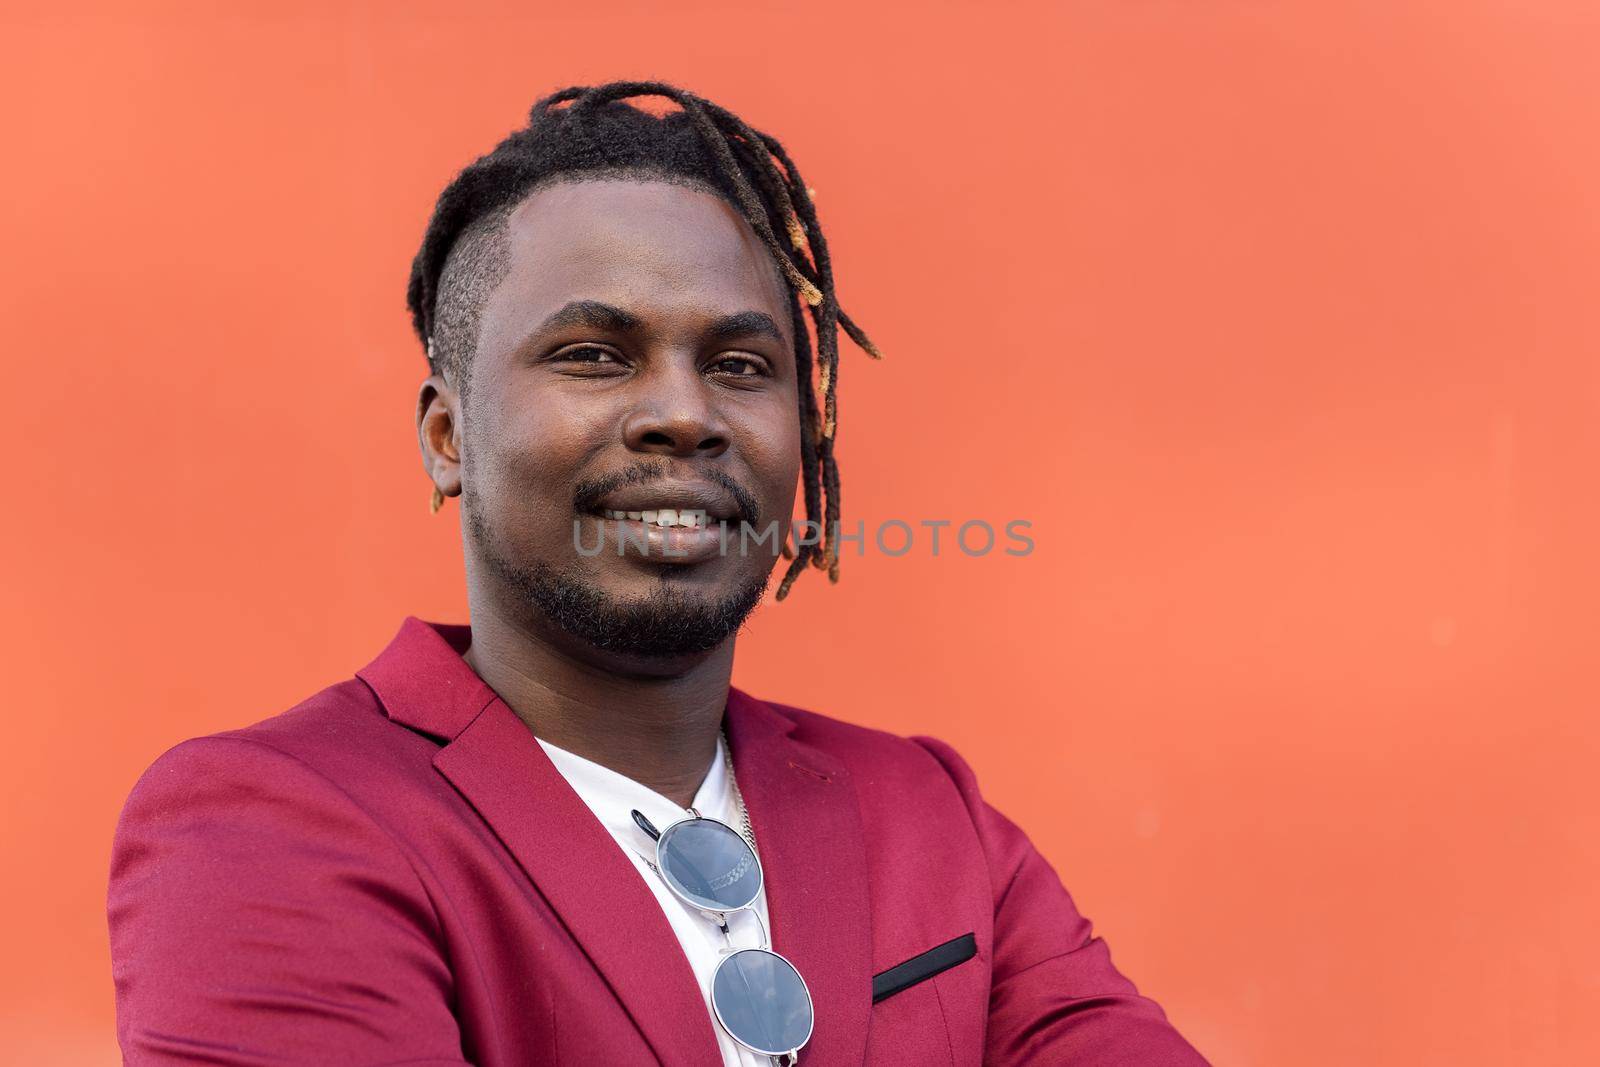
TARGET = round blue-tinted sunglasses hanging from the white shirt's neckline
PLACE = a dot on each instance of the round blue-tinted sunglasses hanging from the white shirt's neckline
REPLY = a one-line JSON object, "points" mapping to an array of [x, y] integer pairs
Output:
{"points": [[758, 996]]}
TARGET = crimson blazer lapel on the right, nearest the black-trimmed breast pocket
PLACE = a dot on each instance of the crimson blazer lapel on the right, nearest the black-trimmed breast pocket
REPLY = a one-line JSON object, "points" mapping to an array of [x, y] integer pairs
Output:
{"points": [[809, 834]]}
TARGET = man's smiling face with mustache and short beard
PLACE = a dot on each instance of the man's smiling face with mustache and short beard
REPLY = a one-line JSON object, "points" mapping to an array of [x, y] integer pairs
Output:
{"points": [[638, 358]]}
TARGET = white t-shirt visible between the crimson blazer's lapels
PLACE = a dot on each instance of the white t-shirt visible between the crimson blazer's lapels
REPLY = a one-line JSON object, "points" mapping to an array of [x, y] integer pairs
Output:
{"points": [[612, 796]]}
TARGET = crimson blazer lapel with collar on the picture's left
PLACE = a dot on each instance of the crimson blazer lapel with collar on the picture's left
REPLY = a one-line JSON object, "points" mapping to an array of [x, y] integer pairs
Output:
{"points": [[498, 767]]}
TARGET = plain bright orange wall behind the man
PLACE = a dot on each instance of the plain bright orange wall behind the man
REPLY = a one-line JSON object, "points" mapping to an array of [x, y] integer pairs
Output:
{"points": [[1278, 321]]}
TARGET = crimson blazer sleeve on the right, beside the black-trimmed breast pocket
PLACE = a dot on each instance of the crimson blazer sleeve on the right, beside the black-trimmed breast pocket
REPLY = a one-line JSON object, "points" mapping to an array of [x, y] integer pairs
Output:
{"points": [[1055, 996]]}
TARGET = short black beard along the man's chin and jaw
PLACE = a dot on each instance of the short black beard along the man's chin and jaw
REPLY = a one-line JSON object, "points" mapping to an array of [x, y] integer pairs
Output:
{"points": [[670, 623]]}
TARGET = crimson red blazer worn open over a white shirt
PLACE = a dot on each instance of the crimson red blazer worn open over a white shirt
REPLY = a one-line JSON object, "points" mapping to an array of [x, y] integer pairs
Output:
{"points": [[394, 873]]}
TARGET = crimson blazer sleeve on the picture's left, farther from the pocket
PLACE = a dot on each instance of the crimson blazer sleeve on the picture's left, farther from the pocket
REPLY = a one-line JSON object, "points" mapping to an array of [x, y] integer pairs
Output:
{"points": [[260, 916]]}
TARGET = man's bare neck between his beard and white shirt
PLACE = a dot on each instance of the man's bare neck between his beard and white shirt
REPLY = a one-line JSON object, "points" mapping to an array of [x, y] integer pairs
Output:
{"points": [[658, 729]]}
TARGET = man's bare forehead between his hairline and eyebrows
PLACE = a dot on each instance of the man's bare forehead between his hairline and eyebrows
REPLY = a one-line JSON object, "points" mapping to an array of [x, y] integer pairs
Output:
{"points": [[663, 252]]}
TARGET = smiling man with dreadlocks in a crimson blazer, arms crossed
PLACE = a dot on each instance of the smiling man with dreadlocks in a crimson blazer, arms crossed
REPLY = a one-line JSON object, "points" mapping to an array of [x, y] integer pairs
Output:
{"points": [[558, 836]]}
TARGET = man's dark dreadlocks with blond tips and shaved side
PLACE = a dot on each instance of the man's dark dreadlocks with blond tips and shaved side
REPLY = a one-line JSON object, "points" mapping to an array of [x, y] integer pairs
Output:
{"points": [[588, 132]]}
